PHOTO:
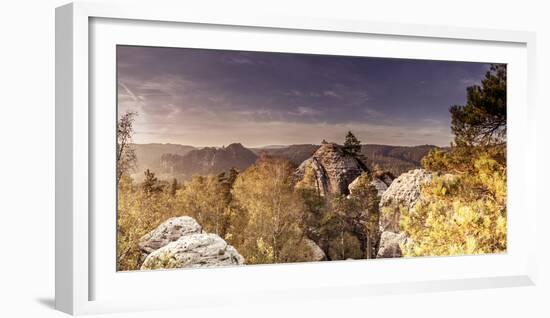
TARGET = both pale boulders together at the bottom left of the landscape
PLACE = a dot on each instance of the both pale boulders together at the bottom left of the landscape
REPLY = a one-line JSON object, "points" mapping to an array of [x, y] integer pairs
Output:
{"points": [[180, 242]]}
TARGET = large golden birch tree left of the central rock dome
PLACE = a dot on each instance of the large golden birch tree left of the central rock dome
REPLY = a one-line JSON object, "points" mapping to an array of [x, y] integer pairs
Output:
{"points": [[264, 193]]}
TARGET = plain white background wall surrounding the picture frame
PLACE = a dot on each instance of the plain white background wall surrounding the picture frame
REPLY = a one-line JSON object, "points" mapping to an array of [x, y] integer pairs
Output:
{"points": [[27, 159]]}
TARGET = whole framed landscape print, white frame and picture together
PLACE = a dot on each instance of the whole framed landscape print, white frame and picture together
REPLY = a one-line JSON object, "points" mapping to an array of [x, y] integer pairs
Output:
{"points": [[265, 159]]}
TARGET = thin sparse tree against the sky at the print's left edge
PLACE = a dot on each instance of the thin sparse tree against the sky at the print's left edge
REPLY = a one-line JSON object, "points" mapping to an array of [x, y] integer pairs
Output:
{"points": [[125, 154]]}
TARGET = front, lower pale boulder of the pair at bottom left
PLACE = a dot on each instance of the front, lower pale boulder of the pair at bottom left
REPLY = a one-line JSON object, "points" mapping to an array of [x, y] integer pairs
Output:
{"points": [[194, 250]]}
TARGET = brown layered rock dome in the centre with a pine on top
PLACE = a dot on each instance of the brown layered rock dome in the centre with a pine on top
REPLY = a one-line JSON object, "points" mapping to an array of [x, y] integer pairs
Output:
{"points": [[334, 169]]}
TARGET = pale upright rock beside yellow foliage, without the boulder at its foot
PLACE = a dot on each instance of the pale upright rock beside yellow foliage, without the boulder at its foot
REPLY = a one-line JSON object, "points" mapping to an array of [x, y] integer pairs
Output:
{"points": [[403, 192]]}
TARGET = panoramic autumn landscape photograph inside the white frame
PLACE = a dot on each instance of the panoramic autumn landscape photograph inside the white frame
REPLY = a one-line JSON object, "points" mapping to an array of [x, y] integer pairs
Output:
{"points": [[238, 158]]}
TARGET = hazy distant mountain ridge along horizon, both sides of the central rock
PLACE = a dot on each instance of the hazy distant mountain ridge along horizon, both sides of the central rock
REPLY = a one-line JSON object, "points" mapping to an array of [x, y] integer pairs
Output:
{"points": [[182, 161]]}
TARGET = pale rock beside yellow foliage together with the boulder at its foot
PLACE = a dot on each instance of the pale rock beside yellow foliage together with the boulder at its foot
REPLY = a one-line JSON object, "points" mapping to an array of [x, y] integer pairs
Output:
{"points": [[404, 192]]}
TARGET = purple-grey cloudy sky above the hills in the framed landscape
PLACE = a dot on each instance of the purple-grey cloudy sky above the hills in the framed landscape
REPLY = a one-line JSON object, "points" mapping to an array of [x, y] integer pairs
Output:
{"points": [[202, 97]]}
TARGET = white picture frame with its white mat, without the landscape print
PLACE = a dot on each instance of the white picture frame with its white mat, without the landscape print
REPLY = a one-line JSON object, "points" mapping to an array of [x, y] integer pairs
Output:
{"points": [[83, 56]]}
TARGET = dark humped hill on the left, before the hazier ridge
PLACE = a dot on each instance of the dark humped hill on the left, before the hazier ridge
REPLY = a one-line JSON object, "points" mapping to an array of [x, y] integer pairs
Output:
{"points": [[207, 160]]}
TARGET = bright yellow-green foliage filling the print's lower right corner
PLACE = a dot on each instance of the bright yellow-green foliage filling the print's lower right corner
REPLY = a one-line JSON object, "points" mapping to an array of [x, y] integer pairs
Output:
{"points": [[460, 214]]}
